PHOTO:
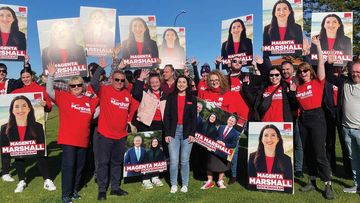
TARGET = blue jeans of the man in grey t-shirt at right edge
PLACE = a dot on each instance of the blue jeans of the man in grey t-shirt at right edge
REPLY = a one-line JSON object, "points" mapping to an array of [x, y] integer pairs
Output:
{"points": [[352, 140]]}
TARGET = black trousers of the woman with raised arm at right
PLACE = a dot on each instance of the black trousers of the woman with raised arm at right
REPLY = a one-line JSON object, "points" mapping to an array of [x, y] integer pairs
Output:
{"points": [[312, 127]]}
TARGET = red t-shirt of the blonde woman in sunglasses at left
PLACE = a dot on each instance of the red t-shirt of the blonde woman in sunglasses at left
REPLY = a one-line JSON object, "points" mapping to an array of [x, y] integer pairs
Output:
{"points": [[75, 116]]}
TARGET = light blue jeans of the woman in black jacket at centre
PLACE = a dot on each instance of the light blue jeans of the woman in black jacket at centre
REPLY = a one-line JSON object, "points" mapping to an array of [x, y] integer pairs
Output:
{"points": [[179, 146]]}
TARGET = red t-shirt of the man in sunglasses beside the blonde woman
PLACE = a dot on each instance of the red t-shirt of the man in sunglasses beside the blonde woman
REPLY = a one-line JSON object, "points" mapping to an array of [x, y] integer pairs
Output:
{"points": [[116, 109]]}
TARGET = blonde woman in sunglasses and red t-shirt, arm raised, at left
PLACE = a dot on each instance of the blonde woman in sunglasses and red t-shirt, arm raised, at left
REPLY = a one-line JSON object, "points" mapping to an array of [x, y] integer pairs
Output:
{"points": [[74, 109]]}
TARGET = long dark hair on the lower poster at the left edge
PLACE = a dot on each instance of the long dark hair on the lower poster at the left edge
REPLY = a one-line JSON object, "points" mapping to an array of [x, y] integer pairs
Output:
{"points": [[30, 118]]}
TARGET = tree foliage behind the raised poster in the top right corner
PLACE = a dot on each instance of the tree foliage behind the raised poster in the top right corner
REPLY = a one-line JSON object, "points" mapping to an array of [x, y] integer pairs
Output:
{"points": [[335, 6]]}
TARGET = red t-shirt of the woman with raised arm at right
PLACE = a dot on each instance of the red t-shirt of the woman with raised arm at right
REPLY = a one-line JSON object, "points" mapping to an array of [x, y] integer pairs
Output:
{"points": [[309, 95]]}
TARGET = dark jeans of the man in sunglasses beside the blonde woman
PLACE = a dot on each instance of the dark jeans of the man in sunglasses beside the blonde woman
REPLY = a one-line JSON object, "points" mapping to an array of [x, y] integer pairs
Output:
{"points": [[110, 154]]}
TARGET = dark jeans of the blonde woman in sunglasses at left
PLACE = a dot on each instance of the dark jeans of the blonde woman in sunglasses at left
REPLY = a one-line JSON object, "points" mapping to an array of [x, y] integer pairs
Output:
{"points": [[72, 165]]}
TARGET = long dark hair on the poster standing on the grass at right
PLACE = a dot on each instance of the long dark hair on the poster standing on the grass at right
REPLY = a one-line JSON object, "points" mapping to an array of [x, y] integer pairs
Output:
{"points": [[279, 150]]}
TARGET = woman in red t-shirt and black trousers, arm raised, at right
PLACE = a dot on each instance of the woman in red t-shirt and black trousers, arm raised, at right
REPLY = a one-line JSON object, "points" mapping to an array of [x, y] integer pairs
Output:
{"points": [[312, 122]]}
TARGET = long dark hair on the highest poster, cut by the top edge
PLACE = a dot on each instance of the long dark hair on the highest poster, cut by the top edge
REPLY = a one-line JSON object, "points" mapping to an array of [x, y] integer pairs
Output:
{"points": [[274, 27]]}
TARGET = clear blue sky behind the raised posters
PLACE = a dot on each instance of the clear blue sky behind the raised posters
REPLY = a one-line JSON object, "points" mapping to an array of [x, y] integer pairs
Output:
{"points": [[202, 21]]}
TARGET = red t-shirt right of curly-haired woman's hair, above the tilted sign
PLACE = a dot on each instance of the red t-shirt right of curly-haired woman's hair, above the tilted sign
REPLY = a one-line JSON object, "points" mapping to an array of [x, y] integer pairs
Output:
{"points": [[235, 103]]}
